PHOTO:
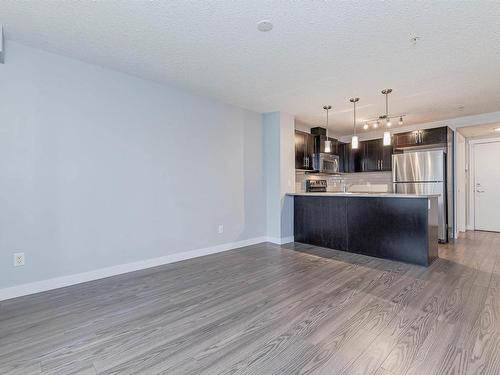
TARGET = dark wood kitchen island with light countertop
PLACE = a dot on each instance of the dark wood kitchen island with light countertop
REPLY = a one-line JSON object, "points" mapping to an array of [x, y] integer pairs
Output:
{"points": [[401, 227]]}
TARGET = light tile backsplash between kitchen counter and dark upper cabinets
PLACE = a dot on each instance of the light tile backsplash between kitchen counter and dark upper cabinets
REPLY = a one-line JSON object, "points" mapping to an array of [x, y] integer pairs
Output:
{"points": [[367, 181]]}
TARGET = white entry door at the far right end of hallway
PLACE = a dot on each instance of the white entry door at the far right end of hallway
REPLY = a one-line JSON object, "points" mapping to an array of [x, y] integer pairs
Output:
{"points": [[487, 186]]}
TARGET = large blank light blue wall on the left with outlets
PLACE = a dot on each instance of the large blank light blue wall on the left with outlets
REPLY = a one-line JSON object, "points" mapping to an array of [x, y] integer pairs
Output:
{"points": [[98, 168]]}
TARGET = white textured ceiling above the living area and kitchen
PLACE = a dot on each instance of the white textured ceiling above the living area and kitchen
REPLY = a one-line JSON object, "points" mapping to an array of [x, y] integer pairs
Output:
{"points": [[319, 52]]}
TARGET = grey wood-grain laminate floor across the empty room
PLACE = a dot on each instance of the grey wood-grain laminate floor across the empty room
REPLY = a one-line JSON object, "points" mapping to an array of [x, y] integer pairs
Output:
{"points": [[267, 309]]}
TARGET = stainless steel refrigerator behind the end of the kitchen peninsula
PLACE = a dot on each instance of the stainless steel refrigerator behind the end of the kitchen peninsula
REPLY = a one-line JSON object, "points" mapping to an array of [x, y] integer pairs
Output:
{"points": [[424, 172]]}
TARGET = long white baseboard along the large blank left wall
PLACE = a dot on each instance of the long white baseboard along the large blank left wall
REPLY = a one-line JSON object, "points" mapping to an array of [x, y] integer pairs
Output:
{"points": [[59, 282]]}
